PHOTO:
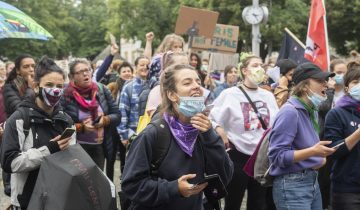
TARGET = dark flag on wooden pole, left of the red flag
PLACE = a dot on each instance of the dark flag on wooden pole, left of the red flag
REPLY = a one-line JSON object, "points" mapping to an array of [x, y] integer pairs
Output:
{"points": [[292, 49]]}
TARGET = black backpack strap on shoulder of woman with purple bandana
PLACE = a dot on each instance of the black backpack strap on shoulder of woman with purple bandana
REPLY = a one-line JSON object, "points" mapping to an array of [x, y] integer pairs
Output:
{"points": [[161, 146]]}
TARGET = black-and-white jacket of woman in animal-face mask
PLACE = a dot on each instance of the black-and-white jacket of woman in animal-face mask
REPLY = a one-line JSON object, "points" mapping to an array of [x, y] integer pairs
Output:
{"points": [[22, 154]]}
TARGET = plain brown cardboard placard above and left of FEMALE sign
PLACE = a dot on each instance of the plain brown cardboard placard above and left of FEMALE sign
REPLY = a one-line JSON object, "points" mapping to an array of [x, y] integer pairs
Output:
{"points": [[195, 21]]}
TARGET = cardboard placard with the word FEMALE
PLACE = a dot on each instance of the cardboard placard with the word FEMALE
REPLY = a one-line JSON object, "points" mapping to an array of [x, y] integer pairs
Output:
{"points": [[225, 39]]}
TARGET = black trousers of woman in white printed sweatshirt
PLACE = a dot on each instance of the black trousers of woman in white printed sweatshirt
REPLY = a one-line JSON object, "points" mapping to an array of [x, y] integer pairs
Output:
{"points": [[256, 198]]}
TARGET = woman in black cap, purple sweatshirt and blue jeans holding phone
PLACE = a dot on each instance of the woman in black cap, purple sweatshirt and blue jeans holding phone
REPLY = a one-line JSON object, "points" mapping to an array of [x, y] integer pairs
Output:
{"points": [[295, 150]]}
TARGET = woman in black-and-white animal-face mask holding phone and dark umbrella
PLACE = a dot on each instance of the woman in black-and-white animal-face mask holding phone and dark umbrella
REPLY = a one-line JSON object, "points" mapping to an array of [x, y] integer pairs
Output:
{"points": [[23, 149]]}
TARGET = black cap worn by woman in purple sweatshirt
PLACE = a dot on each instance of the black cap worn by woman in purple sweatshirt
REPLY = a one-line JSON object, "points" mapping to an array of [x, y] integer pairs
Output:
{"points": [[309, 70]]}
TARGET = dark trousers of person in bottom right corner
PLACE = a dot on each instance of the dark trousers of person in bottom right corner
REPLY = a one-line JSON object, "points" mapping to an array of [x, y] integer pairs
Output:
{"points": [[345, 201]]}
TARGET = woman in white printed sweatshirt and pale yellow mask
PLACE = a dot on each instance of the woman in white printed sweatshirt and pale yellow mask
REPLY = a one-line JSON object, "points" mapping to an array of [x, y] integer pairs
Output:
{"points": [[241, 126]]}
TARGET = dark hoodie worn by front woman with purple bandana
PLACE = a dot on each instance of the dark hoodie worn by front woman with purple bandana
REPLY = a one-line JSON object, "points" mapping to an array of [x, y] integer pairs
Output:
{"points": [[148, 192]]}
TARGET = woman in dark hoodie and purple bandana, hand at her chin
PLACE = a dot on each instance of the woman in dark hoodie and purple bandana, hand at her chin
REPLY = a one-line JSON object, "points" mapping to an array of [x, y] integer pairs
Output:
{"points": [[188, 157]]}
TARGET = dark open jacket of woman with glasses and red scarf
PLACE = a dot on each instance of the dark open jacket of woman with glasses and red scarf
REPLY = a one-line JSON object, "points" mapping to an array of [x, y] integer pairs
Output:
{"points": [[108, 105]]}
